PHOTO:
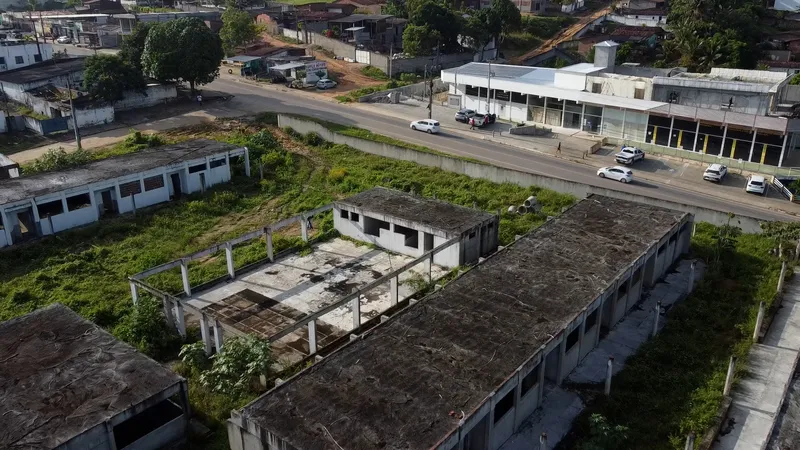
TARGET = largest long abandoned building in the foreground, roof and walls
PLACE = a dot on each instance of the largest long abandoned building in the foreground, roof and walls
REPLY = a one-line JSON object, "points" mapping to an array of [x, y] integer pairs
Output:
{"points": [[464, 367]]}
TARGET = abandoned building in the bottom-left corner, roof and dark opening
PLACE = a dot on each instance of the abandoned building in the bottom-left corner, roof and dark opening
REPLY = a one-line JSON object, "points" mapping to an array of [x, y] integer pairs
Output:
{"points": [[67, 384]]}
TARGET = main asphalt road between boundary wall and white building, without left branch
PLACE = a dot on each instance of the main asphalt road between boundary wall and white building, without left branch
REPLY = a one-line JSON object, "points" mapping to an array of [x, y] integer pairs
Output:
{"points": [[249, 98]]}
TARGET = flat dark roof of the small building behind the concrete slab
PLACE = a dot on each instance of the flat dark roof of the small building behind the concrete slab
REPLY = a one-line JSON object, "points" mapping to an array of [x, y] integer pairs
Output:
{"points": [[426, 211]]}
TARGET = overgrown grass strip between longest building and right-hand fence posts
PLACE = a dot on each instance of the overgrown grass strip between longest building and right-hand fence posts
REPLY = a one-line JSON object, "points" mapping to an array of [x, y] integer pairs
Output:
{"points": [[673, 385]]}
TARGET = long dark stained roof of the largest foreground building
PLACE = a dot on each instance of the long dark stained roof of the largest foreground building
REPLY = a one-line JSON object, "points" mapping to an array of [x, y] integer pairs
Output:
{"points": [[395, 387]]}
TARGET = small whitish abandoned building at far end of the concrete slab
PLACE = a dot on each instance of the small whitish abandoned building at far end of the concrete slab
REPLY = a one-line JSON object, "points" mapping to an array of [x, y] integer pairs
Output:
{"points": [[412, 225]]}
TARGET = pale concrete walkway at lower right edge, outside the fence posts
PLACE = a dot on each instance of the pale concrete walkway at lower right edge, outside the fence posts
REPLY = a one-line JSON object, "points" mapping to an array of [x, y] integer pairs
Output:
{"points": [[758, 397]]}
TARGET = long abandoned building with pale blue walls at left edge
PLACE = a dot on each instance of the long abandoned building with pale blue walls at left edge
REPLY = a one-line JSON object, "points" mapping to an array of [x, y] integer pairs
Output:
{"points": [[50, 202]]}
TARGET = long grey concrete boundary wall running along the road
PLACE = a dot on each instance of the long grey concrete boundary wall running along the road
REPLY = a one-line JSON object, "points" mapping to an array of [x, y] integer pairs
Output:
{"points": [[503, 175]]}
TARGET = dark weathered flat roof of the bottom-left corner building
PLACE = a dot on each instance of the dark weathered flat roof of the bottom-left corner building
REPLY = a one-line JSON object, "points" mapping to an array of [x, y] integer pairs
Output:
{"points": [[62, 375]]}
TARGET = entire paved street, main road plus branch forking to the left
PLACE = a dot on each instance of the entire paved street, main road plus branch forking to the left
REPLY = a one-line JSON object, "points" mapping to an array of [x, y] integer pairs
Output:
{"points": [[249, 99]]}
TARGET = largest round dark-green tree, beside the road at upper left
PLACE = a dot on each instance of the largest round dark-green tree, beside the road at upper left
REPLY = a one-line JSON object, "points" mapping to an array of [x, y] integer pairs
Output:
{"points": [[183, 50]]}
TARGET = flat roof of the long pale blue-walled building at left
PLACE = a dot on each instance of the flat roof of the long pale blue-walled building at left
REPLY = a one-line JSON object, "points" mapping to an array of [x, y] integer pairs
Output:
{"points": [[25, 187]]}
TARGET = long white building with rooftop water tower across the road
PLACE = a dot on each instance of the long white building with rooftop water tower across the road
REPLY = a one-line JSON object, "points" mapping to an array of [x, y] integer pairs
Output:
{"points": [[560, 98]]}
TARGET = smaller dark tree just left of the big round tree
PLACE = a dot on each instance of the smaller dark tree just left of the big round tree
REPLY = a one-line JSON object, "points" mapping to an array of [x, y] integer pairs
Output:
{"points": [[108, 77]]}
